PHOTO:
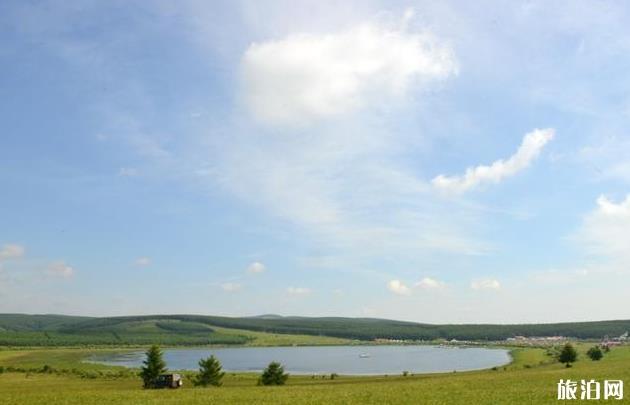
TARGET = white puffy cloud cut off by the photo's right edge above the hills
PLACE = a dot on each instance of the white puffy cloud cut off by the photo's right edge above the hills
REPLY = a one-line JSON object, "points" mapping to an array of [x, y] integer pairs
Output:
{"points": [[605, 230]]}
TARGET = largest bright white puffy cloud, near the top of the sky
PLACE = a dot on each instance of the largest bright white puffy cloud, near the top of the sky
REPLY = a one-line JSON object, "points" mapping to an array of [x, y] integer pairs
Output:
{"points": [[305, 77]]}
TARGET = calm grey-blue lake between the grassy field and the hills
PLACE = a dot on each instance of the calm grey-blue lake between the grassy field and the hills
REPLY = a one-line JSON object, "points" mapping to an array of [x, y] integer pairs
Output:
{"points": [[357, 360]]}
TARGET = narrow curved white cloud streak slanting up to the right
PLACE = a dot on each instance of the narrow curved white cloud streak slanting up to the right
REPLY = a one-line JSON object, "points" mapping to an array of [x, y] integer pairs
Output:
{"points": [[529, 150]]}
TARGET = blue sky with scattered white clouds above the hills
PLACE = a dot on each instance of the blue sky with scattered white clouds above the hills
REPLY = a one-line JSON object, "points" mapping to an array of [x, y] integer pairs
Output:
{"points": [[441, 162]]}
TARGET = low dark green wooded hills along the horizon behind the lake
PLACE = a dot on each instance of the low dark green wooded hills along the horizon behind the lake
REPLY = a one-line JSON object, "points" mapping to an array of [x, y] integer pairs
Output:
{"points": [[17, 329]]}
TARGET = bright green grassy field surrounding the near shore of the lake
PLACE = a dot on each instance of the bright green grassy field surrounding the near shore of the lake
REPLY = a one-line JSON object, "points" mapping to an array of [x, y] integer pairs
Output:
{"points": [[530, 379]]}
